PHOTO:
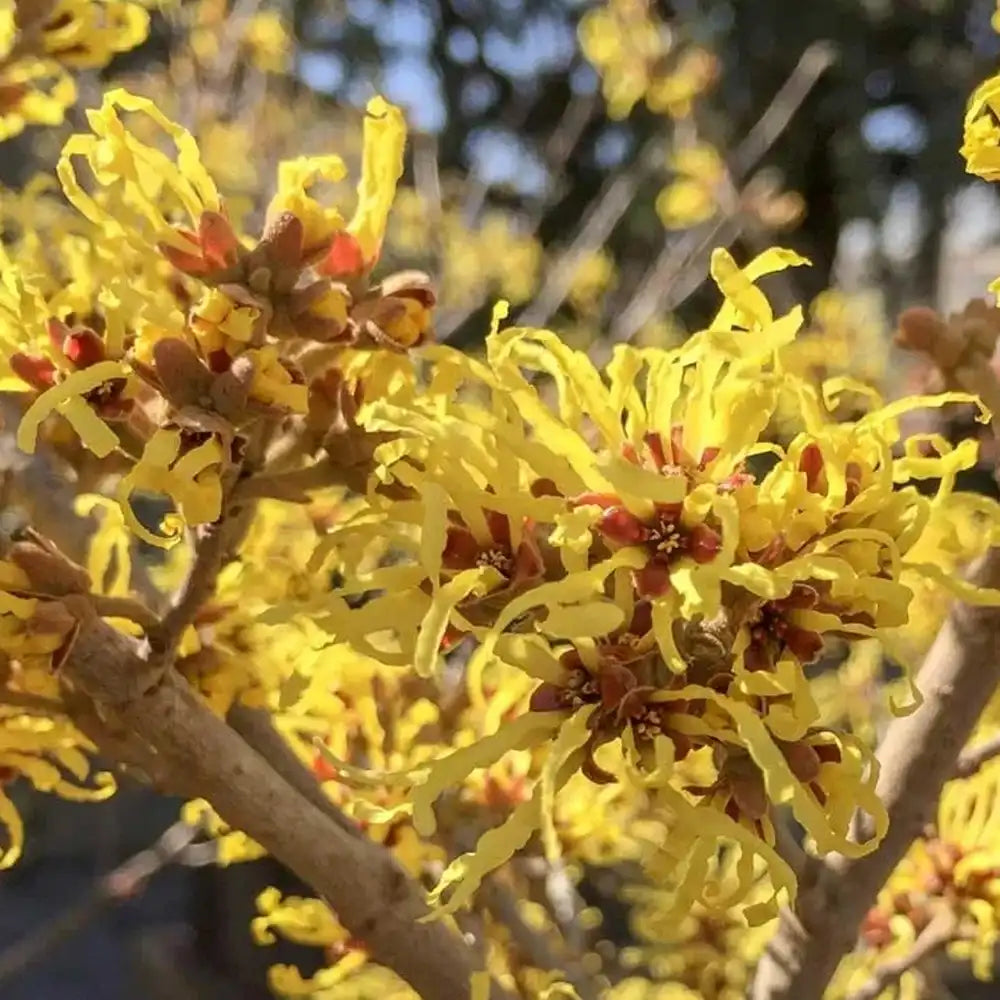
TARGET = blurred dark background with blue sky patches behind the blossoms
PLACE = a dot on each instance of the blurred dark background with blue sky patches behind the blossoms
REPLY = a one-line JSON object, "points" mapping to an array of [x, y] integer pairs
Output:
{"points": [[579, 160]]}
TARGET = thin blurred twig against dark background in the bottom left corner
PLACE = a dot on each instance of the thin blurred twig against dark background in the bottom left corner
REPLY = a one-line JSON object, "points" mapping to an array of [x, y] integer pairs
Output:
{"points": [[118, 885]]}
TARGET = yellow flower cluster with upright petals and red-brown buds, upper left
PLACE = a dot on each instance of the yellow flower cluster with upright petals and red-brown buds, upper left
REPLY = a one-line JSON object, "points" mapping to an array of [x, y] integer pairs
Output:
{"points": [[231, 337]]}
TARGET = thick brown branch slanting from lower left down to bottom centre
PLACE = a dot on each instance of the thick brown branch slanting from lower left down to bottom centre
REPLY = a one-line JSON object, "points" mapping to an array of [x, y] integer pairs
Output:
{"points": [[372, 896]]}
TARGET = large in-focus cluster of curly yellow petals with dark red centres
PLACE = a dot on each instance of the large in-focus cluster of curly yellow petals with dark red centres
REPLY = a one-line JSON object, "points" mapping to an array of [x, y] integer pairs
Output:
{"points": [[626, 550]]}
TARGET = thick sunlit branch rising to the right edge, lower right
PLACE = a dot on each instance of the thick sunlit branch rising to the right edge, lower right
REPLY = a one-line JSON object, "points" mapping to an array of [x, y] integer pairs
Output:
{"points": [[919, 754]]}
